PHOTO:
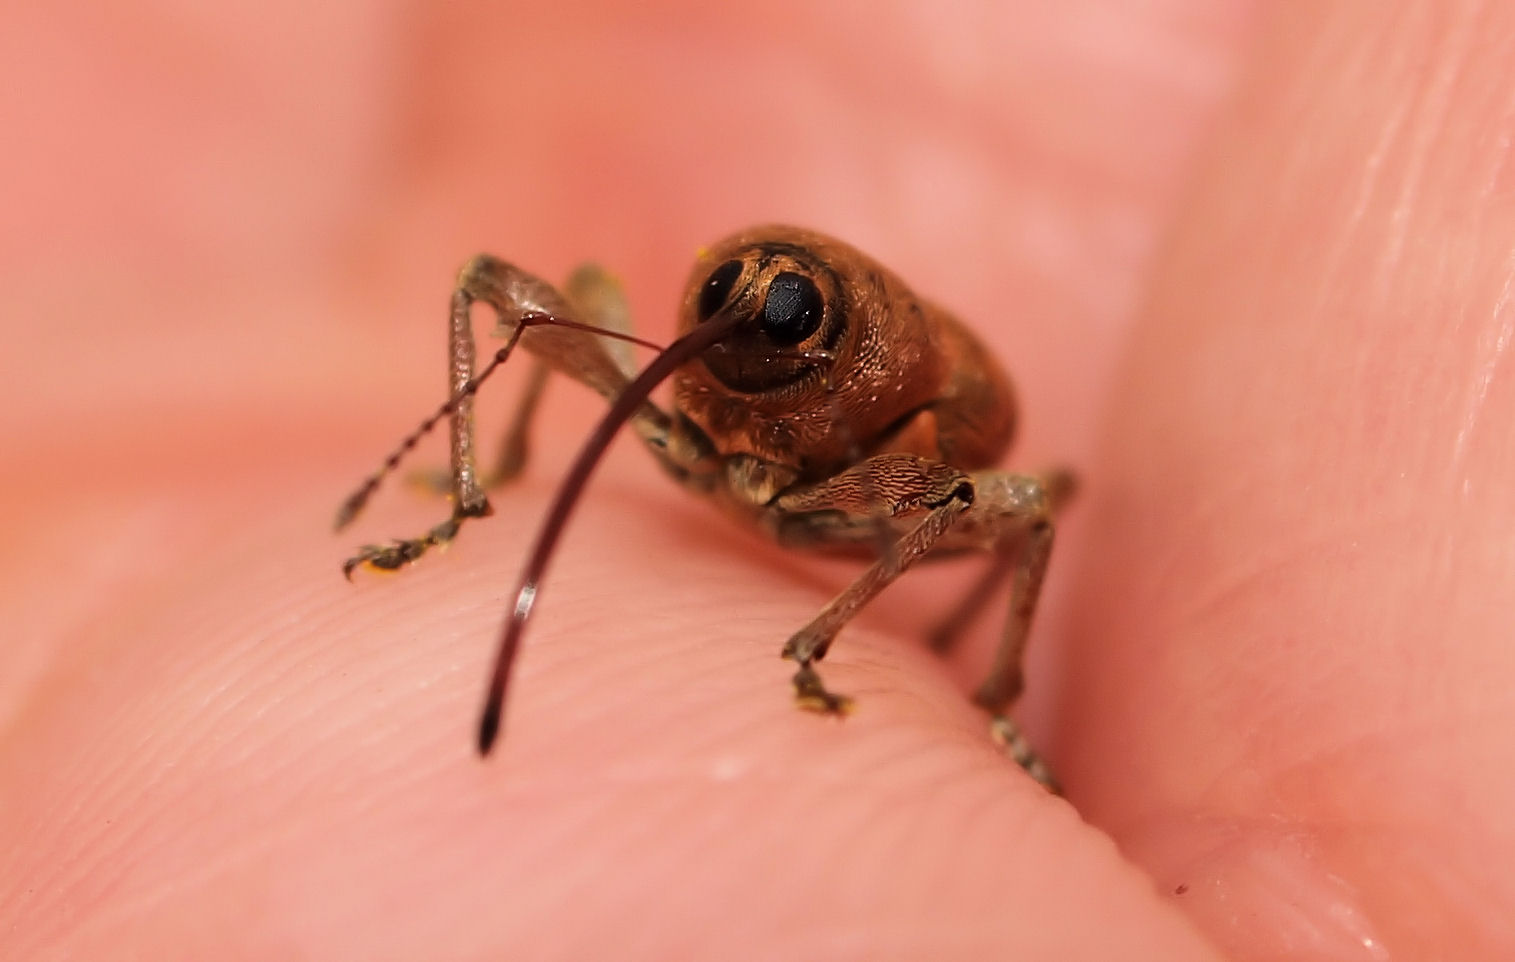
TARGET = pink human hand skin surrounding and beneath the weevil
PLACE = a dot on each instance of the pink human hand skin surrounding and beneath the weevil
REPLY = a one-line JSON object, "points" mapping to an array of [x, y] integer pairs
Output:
{"points": [[1272, 328]]}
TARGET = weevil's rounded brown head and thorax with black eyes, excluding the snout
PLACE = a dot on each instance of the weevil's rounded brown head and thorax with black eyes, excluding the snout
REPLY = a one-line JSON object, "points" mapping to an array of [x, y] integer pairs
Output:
{"points": [[823, 337]]}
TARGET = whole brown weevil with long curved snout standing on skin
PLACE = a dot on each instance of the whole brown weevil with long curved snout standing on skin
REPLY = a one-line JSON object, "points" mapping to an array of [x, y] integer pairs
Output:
{"points": [[816, 398]]}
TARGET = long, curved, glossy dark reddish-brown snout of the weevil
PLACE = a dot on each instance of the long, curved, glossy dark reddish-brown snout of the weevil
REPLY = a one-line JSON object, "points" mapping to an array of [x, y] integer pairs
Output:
{"points": [[676, 355]]}
